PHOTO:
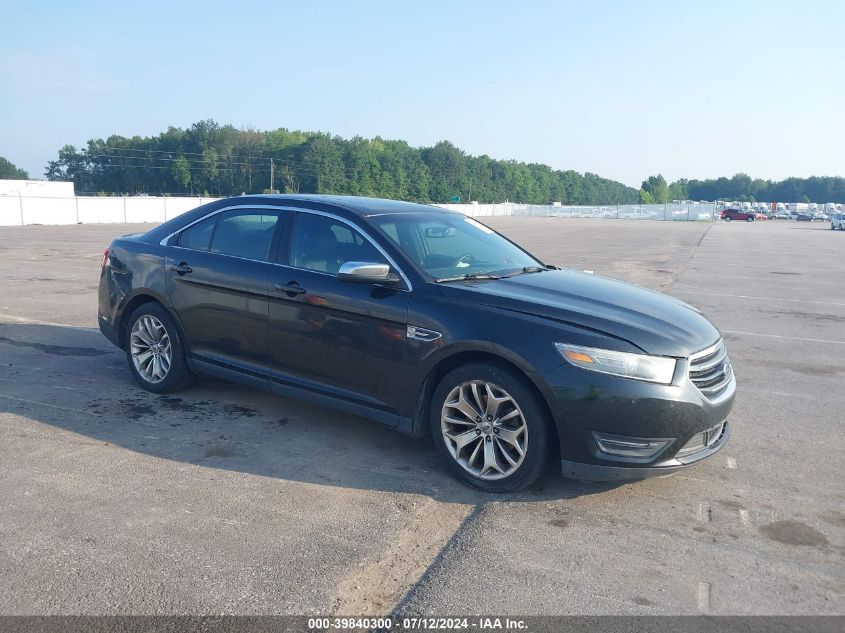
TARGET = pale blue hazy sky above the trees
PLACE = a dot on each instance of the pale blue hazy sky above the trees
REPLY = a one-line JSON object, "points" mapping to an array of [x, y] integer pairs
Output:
{"points": [[622, 89]]}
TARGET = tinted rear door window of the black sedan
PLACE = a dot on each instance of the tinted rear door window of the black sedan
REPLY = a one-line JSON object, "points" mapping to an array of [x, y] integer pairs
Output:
{"points": [[245, 234]]}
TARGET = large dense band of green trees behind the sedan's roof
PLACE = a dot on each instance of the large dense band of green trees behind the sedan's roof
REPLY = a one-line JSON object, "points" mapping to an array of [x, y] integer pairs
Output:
{"points": [[214, 159]]}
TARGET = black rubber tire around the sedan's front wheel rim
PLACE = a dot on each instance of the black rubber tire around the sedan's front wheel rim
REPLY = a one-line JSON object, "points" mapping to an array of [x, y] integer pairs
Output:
{"points": [[539, 447]]}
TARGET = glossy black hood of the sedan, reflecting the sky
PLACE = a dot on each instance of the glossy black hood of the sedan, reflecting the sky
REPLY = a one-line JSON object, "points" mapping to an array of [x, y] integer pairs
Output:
{"points": [[654, 322]]}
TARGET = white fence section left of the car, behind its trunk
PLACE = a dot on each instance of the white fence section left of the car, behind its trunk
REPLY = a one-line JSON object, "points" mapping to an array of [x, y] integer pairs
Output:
{"points": [[19, 210]]}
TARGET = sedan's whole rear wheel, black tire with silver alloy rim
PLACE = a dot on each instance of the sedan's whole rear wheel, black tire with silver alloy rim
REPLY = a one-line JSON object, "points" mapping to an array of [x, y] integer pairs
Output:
{"points": [[155, 351]]}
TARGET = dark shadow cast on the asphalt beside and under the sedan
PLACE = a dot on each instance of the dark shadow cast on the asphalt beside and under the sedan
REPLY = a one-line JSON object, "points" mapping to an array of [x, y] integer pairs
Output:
{"points": [[73, 379]]}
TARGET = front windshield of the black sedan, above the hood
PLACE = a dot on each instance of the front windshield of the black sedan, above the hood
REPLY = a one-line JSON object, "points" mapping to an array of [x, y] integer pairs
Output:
{"points": [[450, 246]]}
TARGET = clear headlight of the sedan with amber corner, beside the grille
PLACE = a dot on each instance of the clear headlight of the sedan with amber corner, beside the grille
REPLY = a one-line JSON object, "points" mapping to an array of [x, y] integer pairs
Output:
{"points": [[638, 366]]}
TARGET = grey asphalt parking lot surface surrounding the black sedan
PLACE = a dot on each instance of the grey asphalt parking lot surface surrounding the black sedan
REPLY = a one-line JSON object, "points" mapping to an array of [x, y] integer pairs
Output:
{"points": [[222, 500]]}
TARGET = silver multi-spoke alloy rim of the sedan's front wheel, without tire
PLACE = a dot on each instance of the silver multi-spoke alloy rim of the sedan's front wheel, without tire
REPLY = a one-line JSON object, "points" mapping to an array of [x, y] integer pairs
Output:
{"points": [[484, 430]]}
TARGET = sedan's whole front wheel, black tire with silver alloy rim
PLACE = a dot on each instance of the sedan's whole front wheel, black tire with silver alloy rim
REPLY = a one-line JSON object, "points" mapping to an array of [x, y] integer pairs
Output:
{"points": [[490, 428]]}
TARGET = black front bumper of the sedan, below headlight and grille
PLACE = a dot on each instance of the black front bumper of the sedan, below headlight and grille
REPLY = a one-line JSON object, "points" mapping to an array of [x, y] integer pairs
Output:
{"points": [[587, 406]]}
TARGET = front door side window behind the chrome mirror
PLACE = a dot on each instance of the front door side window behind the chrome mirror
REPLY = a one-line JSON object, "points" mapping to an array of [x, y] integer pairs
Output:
{"points": [[322, 244]]}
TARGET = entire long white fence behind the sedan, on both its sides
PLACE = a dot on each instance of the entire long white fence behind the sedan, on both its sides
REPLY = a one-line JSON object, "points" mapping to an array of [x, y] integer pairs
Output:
{"points": [[17, 210]]}
